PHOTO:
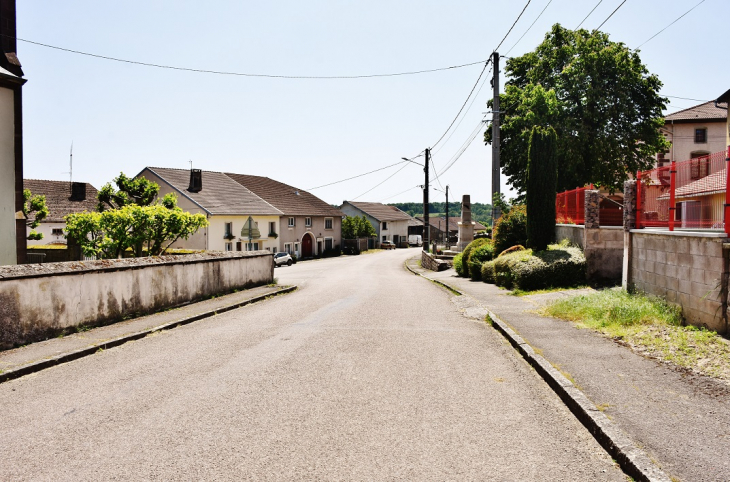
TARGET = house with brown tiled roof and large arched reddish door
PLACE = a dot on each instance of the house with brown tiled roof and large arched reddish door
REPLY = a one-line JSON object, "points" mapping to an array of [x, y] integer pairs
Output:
{"points": [[308, 226]]}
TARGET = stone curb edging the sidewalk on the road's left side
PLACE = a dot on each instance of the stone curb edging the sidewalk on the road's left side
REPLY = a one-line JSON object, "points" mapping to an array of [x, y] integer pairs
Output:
{"points": [[90, 350]]}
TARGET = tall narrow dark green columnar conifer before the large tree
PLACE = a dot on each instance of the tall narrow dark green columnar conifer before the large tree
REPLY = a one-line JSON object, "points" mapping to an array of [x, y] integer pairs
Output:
{"points": [[542, 176]]}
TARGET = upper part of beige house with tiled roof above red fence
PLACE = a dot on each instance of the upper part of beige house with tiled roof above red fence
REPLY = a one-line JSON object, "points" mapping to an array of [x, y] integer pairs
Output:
{"points": [[695, 132]]}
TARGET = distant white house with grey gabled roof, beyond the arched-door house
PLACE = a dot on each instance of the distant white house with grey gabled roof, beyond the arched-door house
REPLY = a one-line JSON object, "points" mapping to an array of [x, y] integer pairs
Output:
{"points": [[390, 223]]}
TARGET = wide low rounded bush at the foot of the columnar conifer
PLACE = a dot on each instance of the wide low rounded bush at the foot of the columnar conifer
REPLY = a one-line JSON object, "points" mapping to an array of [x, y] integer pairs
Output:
{"points": [[558, 267]]}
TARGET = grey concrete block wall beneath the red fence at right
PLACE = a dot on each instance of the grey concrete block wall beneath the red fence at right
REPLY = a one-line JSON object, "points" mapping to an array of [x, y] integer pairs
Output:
{"points": [[685, 268]]}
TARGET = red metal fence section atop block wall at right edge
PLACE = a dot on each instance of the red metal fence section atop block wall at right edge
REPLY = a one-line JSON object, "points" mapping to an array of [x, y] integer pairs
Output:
{"points": [[692, 194]]}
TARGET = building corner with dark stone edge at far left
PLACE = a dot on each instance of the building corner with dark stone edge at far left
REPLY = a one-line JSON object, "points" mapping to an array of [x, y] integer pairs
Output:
{"points": [[12, 222]]}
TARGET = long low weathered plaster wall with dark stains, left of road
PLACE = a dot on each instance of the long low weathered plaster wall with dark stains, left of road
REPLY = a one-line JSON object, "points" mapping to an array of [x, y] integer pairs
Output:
{"points": [[37, 301]]}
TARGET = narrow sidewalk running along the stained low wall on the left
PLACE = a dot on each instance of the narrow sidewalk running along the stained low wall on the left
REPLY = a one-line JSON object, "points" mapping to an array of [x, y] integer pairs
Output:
{"points": [[37, 356]]}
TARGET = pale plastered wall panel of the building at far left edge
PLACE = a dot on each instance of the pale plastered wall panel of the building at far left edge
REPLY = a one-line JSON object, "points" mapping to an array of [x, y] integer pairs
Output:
{"points": [[8, 253]]}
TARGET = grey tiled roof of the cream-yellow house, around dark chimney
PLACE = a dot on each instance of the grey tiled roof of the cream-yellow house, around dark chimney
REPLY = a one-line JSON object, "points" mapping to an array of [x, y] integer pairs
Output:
{"points": [[220, 194]]}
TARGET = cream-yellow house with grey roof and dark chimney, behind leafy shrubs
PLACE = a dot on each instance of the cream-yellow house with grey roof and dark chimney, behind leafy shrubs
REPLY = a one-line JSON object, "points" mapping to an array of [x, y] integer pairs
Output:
{"points": [[239, 219]]}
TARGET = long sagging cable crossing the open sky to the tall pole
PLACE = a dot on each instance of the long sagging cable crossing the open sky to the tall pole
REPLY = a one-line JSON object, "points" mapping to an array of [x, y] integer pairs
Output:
{"points": [[243, 74]]}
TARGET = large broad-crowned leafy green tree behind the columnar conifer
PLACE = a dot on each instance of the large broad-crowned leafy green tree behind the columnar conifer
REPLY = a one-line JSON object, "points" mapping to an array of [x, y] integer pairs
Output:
{"points": [[608, 110]]}
